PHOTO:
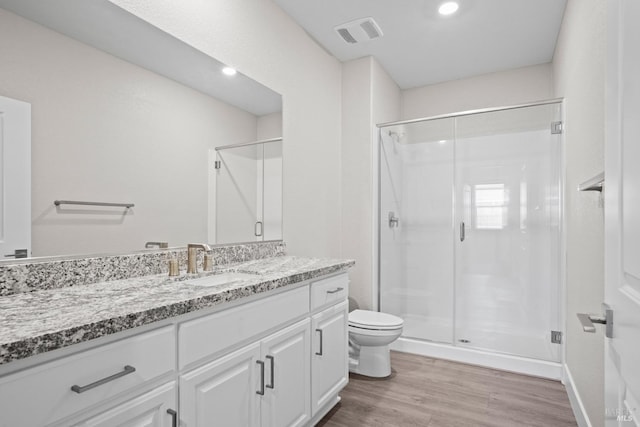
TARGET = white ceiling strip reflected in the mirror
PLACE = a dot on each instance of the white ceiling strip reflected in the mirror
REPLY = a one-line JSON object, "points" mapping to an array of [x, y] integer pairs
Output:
{"points": [[107, 27]]}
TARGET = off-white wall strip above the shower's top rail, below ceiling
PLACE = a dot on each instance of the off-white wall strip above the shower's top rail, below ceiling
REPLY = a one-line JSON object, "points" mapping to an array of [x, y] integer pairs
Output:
{"points": [[503, 88]]}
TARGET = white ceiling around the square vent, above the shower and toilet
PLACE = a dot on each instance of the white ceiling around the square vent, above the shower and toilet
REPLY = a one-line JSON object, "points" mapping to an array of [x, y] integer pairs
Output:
{"points": [[420, 47]]}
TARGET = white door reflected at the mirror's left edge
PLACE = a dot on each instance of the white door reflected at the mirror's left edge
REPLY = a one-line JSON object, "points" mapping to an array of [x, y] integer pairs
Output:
{"points": [[15, 177]]}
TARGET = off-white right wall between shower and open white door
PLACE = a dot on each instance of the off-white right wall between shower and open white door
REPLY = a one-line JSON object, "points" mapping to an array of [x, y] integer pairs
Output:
{"points": [[579, 69]]}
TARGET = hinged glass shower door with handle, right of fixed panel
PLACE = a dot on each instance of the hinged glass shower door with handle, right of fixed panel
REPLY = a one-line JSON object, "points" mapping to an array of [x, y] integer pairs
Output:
{"points": [[508, 232]]}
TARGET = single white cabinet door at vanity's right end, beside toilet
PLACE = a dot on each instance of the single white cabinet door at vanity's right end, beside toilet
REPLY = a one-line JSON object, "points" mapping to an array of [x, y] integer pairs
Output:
{"points": [[330, 369]]}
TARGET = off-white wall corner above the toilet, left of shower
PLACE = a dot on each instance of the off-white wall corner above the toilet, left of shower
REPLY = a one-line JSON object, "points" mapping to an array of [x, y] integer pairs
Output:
{"points": [[369, 96]]}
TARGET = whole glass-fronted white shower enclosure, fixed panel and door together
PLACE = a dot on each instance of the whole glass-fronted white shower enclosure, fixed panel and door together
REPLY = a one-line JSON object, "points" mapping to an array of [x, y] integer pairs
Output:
{"points": [[469, 236]]}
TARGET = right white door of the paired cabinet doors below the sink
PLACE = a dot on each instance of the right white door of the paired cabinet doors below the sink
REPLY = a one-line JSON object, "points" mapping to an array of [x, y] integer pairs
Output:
{"points": [[286, 401]]}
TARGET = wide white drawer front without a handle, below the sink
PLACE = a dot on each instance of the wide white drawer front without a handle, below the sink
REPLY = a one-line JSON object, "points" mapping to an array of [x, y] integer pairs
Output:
{"points": [[208, 335]]}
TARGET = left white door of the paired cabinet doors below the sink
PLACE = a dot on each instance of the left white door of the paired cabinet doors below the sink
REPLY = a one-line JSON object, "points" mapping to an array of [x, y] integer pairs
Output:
{"points": [[223, 392]]}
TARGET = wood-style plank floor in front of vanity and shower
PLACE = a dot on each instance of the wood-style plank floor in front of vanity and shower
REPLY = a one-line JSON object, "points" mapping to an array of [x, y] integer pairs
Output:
{"points": [[430, 392]]}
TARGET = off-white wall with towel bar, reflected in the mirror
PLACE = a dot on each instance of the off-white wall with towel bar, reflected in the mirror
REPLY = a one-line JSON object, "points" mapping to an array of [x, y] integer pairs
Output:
{"points": [[106, 130]]}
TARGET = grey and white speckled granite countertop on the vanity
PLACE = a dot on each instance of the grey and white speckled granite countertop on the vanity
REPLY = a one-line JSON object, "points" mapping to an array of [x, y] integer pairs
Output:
{"points": [[41, 321]]}
